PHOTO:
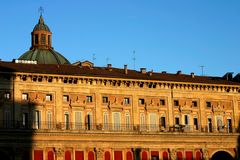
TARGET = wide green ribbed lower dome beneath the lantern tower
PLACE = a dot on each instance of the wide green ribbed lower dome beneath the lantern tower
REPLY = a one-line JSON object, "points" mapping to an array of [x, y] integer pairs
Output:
{"points": [[44, 56]]}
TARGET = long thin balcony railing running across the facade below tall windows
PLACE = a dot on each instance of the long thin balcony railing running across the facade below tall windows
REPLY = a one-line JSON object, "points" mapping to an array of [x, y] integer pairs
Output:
{"points": [[42, 125]]}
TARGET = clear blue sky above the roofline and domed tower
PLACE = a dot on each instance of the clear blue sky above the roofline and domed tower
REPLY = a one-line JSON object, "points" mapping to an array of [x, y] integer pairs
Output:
{"points": [[167, 35]]}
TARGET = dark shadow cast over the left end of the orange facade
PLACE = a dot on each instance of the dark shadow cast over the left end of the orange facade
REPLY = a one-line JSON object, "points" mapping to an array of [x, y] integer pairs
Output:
{"points": [[16, 120]]}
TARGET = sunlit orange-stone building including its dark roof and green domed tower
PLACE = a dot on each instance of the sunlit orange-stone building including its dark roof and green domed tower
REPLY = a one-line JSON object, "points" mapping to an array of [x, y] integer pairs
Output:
{"points": [[53, 110]]}
